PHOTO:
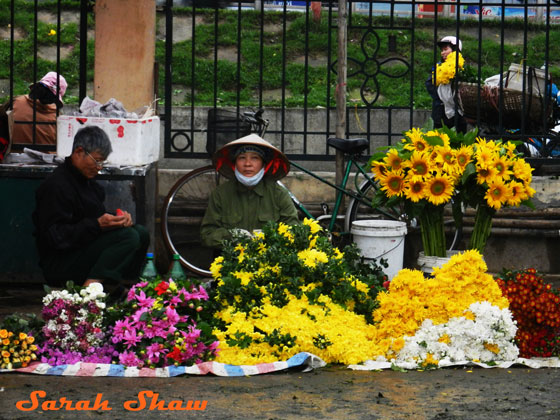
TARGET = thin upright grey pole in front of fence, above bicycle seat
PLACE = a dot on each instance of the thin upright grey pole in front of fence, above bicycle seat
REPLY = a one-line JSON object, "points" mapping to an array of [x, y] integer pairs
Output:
{"points": [[341, 86]]}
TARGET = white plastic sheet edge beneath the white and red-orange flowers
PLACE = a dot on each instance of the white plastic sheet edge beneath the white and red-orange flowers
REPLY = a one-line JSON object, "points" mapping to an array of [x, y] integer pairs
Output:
{"points": [[536, 363]]}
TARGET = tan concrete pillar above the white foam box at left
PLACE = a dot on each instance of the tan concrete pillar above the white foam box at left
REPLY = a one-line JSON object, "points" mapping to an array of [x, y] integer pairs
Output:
{"points": [[124, 51]]}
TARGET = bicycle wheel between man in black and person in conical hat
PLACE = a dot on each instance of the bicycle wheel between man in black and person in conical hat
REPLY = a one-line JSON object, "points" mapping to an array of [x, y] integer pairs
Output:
{"points": [[181, 217]]}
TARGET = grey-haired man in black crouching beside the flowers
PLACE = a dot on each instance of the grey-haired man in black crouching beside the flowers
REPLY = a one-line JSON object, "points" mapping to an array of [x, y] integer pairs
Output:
{"points": [[77, 239]]}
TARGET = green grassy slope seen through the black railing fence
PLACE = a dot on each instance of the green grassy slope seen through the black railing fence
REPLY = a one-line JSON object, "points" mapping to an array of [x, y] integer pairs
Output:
{"points": [[298, 37]]}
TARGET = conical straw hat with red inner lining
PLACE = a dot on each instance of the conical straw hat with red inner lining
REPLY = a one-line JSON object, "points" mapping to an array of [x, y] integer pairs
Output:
{"points": [[276, 163]]}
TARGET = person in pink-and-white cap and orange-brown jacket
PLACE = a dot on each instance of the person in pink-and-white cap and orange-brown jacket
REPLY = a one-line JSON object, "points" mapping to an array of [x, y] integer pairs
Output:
{"points": [[40, 105]]}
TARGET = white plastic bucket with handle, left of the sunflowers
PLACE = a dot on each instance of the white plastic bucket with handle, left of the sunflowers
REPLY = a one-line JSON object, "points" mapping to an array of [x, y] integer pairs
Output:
{"points": [[381, 239]]}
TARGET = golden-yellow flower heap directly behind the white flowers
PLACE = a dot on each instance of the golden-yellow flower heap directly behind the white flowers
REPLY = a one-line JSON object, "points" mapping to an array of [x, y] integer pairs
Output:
{"points": [[411, 299]]}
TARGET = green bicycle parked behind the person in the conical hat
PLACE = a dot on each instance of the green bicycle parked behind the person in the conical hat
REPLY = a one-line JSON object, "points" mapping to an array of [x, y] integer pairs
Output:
{"points": [[186, 202]]}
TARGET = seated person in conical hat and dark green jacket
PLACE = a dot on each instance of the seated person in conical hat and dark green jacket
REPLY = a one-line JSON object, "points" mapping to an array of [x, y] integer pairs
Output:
{"points": [[251, 197]]}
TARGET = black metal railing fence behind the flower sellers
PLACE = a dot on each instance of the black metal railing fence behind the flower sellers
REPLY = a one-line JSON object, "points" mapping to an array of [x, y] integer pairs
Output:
{"points": [[281, 56]]}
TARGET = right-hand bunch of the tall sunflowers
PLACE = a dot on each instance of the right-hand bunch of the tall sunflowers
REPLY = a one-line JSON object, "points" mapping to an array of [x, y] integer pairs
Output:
{"points": [[507, 177]]}
